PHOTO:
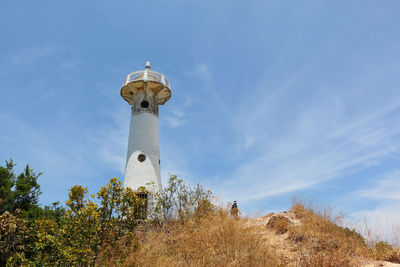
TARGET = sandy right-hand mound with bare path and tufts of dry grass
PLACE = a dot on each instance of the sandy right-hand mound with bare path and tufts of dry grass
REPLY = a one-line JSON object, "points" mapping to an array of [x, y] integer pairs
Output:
{"points": [[315, 241]]}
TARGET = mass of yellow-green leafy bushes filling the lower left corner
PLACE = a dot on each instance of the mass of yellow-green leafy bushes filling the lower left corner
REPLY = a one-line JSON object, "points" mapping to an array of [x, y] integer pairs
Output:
{"points": [[75, 236]]}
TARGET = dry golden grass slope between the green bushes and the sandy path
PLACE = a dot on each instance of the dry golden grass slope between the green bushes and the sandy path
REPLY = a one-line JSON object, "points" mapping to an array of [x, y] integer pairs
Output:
{"points": [[217, 240]]}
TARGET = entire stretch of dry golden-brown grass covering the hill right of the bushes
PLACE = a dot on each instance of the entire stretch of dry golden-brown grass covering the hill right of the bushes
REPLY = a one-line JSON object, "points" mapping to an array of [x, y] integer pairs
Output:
{"points": [[310, 234]]}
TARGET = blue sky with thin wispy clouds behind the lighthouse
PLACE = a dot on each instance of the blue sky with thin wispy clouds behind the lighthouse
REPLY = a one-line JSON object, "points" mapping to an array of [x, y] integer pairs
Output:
{"points": [[270, 99]]}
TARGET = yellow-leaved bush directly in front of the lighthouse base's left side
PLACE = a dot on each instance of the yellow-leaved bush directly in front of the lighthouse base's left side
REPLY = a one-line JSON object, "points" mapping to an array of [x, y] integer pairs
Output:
{"points": [[93, 229]]}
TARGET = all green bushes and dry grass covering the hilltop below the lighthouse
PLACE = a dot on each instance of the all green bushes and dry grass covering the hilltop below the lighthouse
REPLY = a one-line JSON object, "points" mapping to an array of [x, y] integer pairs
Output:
{"points": [[185, 228]]}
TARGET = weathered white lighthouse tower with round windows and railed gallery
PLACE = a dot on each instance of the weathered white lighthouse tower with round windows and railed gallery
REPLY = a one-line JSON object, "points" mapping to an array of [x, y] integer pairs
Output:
{"points": [[144, 90]]}
